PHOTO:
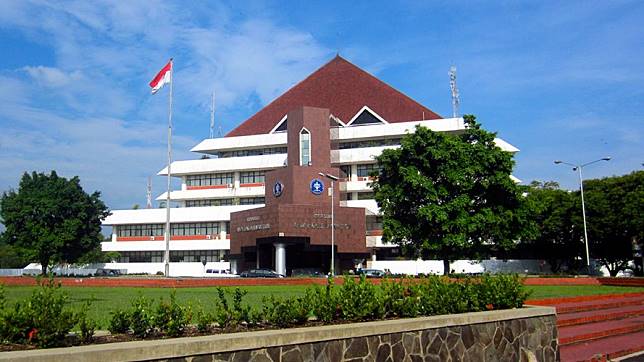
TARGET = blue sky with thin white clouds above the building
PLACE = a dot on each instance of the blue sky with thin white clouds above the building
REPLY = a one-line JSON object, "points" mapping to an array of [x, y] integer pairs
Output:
{"points": [[559, 80]]}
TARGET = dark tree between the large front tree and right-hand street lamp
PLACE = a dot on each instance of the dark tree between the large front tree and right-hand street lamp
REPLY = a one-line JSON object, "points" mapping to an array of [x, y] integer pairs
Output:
{"points": [[557, 214]]}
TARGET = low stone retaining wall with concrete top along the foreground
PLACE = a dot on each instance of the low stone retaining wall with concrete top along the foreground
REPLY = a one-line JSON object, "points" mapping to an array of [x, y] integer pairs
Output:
{"points": [[526, 334]]}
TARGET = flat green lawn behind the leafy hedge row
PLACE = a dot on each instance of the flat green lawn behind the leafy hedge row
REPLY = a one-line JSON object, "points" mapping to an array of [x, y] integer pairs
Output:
{"points": [[106, 299]]}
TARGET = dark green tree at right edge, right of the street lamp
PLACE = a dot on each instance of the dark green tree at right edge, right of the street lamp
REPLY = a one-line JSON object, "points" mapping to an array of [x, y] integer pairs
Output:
{"points": [[614, 217]]}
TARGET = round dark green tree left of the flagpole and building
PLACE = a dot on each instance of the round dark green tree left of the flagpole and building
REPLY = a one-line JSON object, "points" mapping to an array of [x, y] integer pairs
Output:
{"points": [[51, 219]]}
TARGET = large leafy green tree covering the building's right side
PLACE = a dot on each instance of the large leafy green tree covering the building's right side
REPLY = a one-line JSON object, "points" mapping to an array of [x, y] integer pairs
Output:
{"points": [[448, 195]]}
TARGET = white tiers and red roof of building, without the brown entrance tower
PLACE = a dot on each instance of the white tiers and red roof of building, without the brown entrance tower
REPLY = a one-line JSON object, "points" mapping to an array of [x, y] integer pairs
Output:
{"points": [[228, 173]]}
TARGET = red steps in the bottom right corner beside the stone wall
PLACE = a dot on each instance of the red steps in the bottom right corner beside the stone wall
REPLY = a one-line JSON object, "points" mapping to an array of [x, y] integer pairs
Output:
{"points": [[599, 328]]}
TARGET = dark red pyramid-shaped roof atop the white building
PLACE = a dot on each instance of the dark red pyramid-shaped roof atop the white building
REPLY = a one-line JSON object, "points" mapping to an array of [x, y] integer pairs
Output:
{"points": [[344, 89]]}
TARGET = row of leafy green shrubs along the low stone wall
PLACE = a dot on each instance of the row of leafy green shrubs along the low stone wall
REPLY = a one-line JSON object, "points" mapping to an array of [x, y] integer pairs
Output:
{"points": [[45, 319]]}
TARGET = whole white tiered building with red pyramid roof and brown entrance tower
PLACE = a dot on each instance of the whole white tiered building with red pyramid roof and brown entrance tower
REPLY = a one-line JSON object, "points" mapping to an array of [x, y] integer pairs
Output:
{"points": [[256, 197]]}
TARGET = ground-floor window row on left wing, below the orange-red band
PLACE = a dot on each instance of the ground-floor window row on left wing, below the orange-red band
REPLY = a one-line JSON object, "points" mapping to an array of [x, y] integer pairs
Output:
{"points": [[177, 256]]}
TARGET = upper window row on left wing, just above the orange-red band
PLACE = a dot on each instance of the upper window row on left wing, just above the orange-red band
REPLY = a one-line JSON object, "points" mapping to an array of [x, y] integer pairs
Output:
{"points": [[202, 228]]}
